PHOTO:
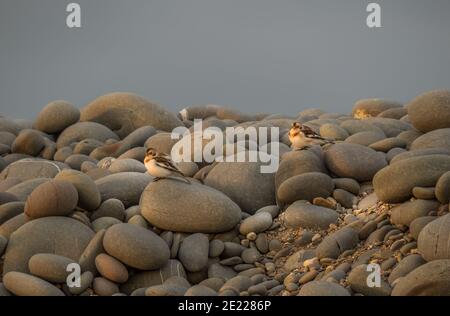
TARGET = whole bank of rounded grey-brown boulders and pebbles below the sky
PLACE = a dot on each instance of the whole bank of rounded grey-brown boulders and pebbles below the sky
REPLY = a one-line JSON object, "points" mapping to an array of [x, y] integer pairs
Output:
{"points": [[74, 189]]}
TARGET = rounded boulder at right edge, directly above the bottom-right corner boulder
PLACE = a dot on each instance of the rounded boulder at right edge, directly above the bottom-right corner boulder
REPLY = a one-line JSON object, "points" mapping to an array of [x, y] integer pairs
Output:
{"points": [[434, 239]]}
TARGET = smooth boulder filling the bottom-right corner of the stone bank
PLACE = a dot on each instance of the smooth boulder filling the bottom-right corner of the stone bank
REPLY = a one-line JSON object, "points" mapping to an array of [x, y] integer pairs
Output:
{"points": [[430, 279]]}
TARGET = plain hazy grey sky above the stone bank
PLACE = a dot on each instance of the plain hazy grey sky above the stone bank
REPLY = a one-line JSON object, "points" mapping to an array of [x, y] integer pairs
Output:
{"points": [[277, 56]]}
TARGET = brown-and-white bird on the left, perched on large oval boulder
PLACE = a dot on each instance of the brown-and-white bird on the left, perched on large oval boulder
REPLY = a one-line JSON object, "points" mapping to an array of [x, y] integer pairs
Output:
{"points": [[161, 166]]}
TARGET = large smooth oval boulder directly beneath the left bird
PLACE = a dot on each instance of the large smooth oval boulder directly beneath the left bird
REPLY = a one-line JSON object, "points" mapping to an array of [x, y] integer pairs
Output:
{"points": [[193, 208]]}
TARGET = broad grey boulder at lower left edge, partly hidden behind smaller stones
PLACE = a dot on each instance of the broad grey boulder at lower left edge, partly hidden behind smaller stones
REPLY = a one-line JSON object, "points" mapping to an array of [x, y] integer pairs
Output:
{"points": [[58, 235]]}
